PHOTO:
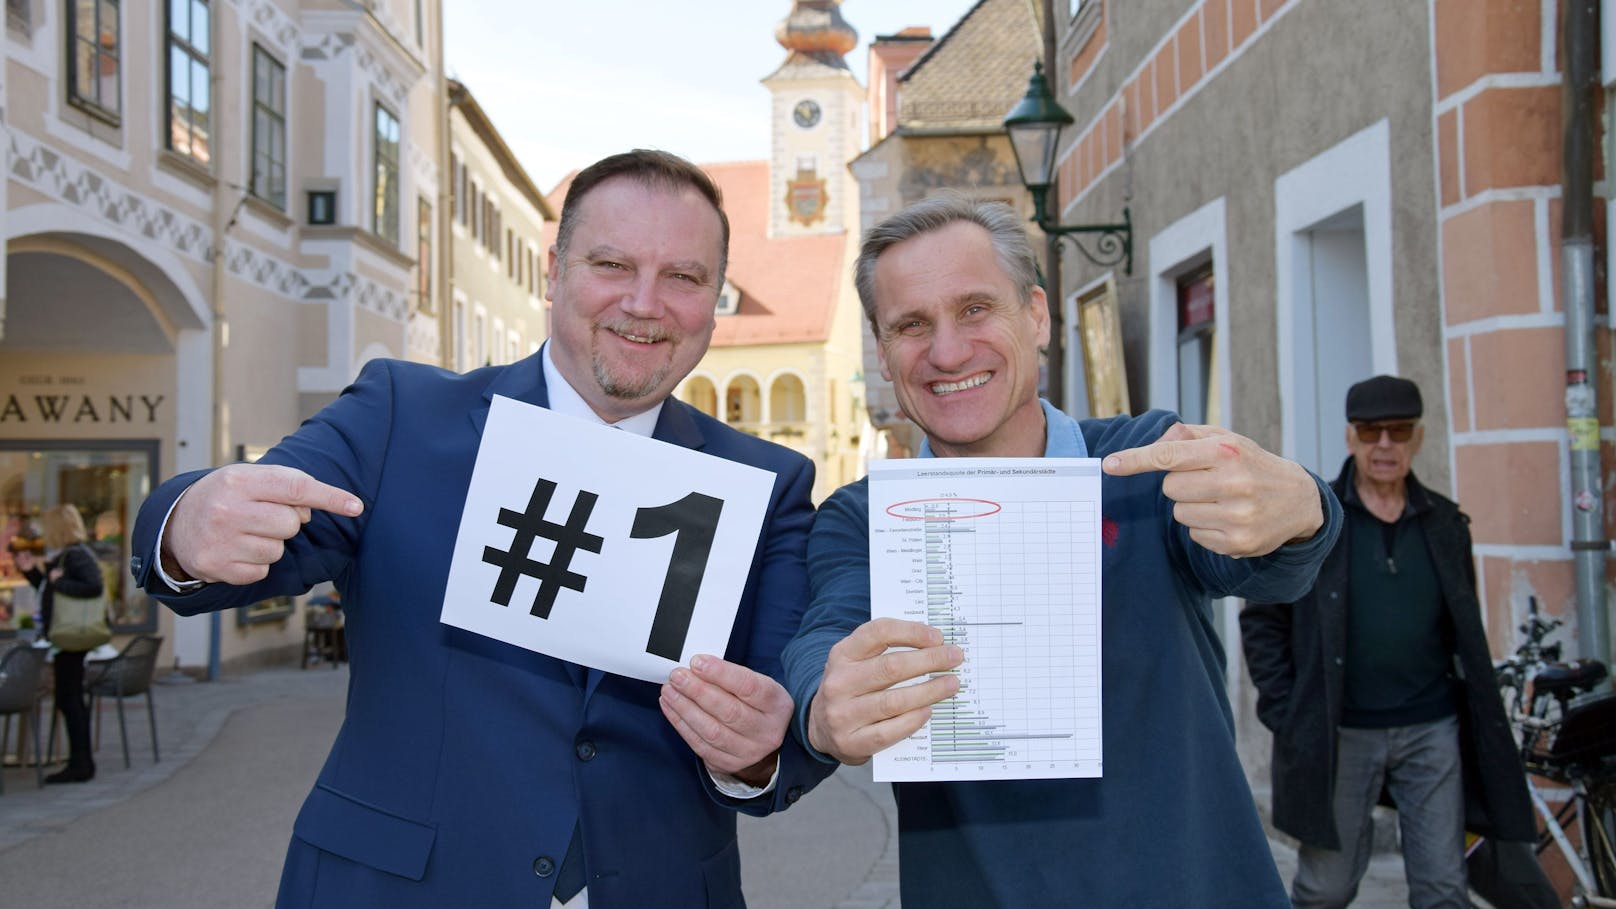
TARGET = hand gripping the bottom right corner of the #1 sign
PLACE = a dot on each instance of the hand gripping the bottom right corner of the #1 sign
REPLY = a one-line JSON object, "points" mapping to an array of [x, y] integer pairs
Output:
{"points": [[734, 719]]}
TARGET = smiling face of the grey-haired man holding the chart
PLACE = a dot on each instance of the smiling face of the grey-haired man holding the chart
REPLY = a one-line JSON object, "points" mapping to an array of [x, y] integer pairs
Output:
{"points": [[961, 345]]}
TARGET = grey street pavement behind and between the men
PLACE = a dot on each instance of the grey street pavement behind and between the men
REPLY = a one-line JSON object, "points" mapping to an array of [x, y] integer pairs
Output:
{"points": [[208, 826]]}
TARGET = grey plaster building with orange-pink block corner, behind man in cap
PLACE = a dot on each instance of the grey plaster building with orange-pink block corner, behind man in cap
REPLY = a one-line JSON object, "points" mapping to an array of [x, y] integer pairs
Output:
{"points": [[1326, 192]]}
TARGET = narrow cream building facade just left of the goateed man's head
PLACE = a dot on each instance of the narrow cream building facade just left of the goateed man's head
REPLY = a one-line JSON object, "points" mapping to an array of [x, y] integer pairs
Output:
{"points": [[497, 310]]}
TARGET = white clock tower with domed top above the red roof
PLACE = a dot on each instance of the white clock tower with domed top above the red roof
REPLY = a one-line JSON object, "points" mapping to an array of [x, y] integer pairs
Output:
{"points": [[819, 109]]}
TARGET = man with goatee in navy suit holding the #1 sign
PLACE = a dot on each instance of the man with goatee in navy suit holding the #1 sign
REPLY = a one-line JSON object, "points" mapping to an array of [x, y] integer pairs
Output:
{"points": [[471, 772]]}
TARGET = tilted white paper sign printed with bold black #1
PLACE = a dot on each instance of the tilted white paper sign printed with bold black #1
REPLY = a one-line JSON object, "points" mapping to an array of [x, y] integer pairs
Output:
{"points": [[602, 548]]}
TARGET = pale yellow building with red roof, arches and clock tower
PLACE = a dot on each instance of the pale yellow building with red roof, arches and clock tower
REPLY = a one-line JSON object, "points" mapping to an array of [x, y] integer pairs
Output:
{"points": [[786, 360]]}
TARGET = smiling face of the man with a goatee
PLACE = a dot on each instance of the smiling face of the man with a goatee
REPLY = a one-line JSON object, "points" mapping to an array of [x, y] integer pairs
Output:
{"points": [[634, 294]]}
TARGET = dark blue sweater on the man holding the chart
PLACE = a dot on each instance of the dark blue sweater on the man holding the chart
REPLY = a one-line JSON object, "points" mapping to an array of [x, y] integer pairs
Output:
{"points": [[1171, 822]]}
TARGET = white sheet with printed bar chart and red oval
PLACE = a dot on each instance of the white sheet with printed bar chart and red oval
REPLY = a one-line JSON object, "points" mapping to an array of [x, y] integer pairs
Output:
{"points": [[1004, 557]]}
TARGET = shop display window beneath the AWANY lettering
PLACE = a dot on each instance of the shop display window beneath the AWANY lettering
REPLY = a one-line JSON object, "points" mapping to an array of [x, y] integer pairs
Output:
{"points": [[107, 481]]}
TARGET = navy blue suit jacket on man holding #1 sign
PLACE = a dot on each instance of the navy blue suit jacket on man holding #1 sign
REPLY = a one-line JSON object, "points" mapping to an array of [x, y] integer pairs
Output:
{"points": [[465, 764]]}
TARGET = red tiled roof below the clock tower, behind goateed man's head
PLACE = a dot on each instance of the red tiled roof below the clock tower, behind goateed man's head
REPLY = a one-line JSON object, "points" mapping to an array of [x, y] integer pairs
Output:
{"points": [[789, 285]]}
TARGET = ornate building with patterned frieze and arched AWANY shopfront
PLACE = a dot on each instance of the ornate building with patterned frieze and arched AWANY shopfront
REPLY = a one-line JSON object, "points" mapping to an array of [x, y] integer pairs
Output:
{"points": [[214, 214]]}
